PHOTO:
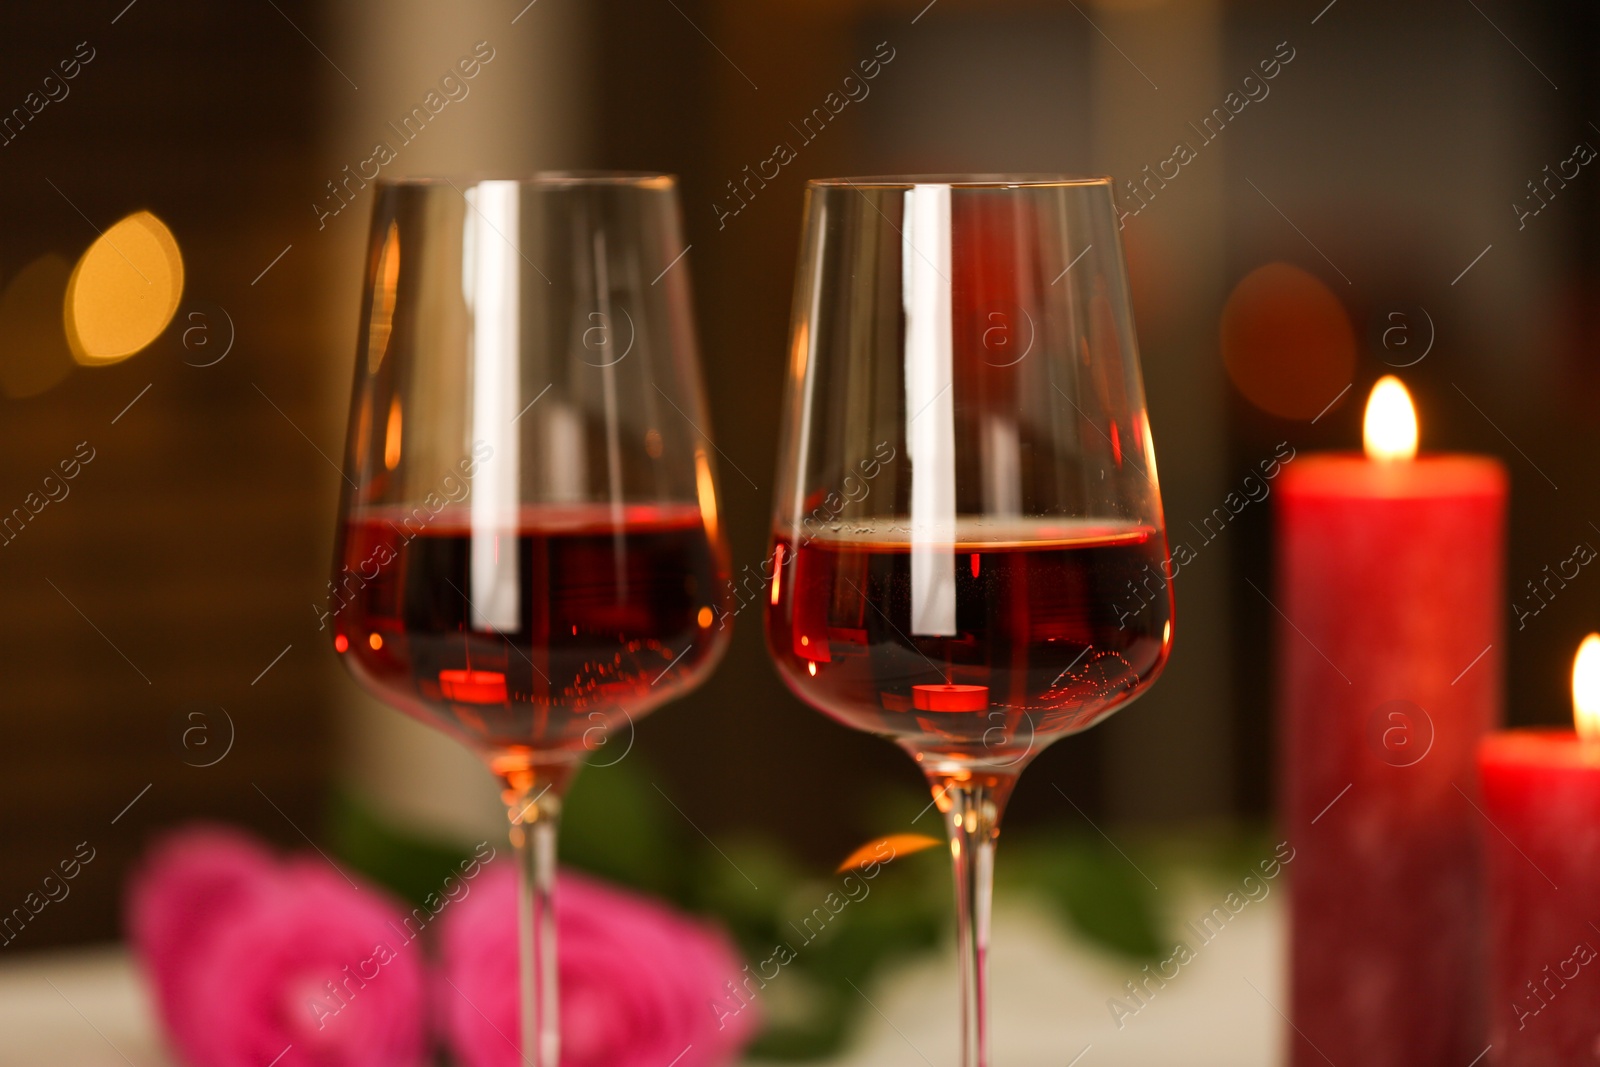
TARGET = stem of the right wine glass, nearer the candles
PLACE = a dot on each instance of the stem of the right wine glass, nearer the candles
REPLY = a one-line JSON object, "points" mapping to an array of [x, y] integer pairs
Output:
{"points": [[972, 815]]}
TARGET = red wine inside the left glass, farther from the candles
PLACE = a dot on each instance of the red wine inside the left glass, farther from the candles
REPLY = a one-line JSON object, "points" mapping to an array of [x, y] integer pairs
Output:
{"points": [[598, 623]]}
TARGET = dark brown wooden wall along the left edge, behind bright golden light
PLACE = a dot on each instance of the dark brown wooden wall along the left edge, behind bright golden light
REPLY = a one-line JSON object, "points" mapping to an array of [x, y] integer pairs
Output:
{"points": [[190, 549]]}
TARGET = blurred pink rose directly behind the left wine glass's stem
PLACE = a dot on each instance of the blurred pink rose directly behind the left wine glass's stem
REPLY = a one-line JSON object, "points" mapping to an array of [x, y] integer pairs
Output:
{"points": [[639, 981]]}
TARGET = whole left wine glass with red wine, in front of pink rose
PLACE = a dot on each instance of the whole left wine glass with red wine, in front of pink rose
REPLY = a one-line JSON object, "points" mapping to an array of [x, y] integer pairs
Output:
{"points": [[530, 554]]}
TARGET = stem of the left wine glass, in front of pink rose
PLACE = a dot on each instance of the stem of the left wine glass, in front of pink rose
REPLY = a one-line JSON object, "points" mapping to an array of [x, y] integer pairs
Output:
{"points": [[535, 821]]}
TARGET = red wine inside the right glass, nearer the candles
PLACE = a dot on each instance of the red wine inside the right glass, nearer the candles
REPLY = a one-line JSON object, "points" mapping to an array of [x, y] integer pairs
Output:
{"points": [[1057, 626]]}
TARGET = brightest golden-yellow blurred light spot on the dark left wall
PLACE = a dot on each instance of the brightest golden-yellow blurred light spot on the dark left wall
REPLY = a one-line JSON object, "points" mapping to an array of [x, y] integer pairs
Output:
{"points": [[124, 290]]}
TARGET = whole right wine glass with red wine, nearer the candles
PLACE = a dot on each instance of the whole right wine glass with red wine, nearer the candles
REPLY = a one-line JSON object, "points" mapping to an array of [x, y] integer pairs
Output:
{"points": [[969, 553]]}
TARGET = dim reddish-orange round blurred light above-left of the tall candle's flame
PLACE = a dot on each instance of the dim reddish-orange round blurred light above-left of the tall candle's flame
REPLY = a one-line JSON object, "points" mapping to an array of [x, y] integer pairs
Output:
{"points": [[1287, 342]]}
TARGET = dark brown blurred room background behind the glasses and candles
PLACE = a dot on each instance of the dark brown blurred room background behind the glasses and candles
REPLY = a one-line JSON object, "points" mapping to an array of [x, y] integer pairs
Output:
{"points": [[1407, 167]]}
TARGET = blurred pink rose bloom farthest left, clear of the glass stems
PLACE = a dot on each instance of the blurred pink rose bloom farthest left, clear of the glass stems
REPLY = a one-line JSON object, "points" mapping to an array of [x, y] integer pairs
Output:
{"points": [[282, 964]]}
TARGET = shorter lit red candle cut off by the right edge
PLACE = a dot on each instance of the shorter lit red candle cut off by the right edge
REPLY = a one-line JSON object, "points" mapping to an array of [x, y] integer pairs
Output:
{"points": [[1542, 839]]}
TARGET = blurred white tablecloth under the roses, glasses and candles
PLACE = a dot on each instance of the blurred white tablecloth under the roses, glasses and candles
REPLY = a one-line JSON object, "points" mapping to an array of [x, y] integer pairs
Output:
{"points": [[1050, 1002]]}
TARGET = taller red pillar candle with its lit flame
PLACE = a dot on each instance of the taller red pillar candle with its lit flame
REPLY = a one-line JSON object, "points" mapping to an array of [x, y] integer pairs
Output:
{"points": [[1391, 602]]}
